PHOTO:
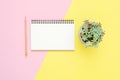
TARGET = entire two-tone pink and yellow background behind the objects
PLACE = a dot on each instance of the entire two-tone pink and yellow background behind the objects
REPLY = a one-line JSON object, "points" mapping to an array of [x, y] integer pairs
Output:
{"points": [[102, 63]]}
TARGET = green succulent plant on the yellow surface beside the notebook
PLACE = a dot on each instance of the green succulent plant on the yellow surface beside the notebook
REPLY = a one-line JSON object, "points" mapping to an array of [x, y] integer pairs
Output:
{"points": [[91, 33]]}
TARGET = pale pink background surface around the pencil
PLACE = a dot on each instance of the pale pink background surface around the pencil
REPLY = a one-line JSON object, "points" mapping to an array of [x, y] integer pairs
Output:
{"points": [[13, 64]]}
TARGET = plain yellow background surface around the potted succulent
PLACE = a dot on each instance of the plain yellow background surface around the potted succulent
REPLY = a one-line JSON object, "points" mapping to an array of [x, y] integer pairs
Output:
{"points": [[102, 63]]}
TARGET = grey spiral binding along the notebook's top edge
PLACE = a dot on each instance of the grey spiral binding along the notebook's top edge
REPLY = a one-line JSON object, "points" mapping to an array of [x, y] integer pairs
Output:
{"points": [[52, 21]]}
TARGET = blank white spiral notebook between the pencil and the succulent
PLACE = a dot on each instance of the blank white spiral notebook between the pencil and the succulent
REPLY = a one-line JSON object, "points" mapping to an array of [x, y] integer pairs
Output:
{"points": [[52, 34]]}
